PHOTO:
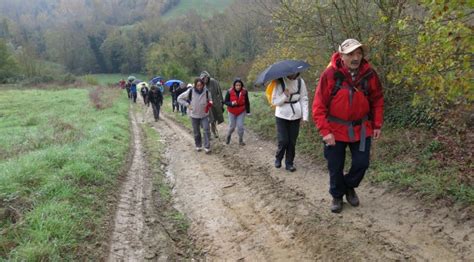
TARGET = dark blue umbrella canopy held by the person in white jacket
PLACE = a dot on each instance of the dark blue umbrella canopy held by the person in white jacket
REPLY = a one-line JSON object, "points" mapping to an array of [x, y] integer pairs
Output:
{"points": [[281, 69]]}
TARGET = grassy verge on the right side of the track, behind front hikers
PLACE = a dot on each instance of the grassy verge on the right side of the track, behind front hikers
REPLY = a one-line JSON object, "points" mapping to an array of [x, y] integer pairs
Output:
{"points": [[396, 160]]}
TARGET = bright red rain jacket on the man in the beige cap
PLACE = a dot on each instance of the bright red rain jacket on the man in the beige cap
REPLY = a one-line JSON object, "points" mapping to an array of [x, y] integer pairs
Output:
{"points": [[339, 106]]}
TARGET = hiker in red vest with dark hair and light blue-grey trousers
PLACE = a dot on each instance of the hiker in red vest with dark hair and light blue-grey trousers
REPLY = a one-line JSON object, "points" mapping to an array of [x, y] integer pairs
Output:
{"points": [[238, 105]]}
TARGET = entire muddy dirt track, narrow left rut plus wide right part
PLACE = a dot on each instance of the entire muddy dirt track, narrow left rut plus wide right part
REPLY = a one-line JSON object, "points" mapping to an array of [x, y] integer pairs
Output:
{"points": [[243, 209]]}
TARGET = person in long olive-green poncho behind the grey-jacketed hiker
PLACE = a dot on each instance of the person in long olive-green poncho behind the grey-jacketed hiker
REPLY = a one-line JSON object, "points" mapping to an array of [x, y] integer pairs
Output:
{"points": [[216, 115]]}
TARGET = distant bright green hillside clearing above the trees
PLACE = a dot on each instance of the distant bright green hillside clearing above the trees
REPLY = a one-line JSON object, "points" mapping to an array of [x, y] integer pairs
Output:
{"points": [[205, 8]]}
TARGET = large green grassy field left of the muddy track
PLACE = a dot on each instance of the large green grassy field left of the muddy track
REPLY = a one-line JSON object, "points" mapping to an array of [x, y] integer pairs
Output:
{"points": [[59, 162]]}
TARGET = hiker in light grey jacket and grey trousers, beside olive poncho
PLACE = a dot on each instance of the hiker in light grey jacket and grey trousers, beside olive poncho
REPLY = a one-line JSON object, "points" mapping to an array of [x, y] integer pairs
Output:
{"points": [[199, 101]]}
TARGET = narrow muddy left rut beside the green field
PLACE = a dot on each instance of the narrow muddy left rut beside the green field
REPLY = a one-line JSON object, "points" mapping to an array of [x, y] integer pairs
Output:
{"points": [[137, 235]]}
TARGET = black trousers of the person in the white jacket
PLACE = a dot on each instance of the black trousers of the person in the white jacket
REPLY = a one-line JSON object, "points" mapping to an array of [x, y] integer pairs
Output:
{"points": [[287, 133]]}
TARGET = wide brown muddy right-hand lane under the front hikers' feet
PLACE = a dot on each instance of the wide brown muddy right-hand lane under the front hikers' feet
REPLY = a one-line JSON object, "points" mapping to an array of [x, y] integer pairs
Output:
{"points": [[385, 226]]}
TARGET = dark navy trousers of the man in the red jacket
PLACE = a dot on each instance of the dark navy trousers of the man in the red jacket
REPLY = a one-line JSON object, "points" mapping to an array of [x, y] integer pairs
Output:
{"points": [[336, 156]]}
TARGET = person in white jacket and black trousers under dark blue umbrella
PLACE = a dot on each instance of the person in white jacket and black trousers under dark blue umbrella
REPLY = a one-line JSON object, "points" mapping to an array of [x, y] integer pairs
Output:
{"points": [[291, 100]]}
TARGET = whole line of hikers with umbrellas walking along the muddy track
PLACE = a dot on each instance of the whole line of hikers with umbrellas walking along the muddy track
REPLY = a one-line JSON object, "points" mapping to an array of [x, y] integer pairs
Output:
{"points": [[347, 110]]}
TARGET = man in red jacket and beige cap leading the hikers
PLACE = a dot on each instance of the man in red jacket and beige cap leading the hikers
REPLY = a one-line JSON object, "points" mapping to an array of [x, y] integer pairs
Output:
{"points": [[348, 111]]}
